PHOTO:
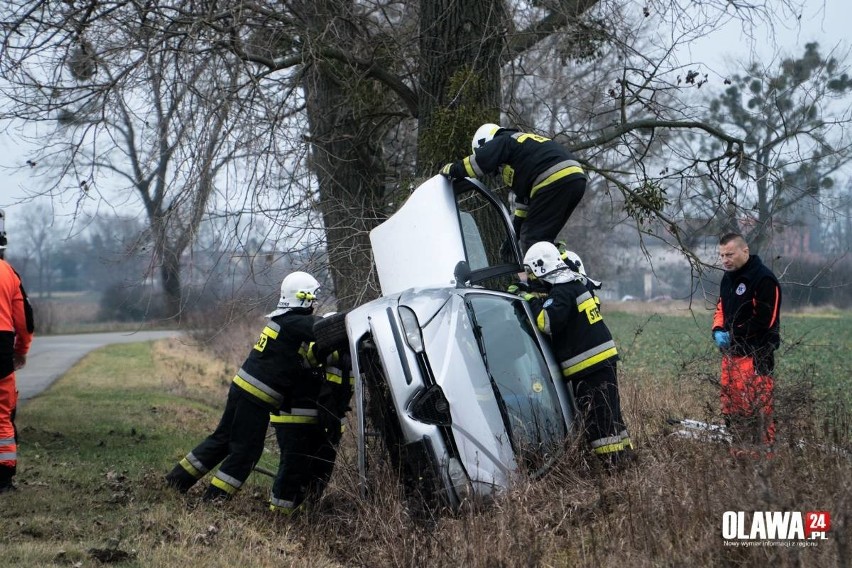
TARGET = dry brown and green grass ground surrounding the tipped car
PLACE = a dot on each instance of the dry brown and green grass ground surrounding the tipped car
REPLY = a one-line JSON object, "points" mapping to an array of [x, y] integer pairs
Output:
{"points": [[94, 448]]}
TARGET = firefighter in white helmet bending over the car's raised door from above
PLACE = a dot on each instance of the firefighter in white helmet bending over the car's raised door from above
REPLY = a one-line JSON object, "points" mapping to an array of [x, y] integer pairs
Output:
{"points": [[545, 179]]}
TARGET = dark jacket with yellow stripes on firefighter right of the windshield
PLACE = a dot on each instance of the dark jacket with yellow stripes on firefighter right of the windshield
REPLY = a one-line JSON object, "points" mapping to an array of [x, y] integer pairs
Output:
{"points": [[571, 315]]}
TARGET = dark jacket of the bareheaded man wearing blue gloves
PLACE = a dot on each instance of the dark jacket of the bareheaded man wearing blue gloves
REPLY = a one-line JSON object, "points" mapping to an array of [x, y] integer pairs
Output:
{"points": [[749, 307]]}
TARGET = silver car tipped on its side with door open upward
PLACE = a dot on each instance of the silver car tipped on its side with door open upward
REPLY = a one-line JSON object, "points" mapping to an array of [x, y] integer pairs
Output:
{"points": [[453, 374]]}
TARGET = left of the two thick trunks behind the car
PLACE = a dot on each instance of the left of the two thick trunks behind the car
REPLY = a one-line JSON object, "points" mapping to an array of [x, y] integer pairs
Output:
{"points": [[345, 155]]}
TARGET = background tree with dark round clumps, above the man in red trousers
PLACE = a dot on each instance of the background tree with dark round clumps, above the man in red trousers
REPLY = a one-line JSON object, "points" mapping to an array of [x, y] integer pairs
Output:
{"points": [[792, 120]]}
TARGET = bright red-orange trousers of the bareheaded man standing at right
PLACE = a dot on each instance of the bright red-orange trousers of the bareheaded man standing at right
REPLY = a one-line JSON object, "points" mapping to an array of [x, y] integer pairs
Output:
{"points": [[747, 399]]}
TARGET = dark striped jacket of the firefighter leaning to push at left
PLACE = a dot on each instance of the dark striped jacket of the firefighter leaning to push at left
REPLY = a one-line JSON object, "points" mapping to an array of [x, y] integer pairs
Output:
{"points": [[278, 362]]}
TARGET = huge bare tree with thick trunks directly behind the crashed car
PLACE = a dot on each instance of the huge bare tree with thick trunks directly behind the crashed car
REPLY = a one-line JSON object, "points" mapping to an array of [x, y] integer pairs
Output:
{"points": [[358, 78]]}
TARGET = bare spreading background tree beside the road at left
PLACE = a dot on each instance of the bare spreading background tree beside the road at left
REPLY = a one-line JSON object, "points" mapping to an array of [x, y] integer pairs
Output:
{"points": [[138, 94]]}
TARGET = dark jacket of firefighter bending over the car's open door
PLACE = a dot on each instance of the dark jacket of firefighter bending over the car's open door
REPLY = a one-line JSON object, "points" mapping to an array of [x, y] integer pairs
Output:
{"points": [[531, 162]]}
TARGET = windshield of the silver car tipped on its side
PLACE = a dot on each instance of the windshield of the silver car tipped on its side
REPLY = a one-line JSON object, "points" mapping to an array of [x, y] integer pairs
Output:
{"points": [[519, 376]]}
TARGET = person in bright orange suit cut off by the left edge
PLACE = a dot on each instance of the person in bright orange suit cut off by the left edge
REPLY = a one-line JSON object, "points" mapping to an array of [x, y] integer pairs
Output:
{"points": [[16, 334]]}
